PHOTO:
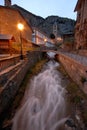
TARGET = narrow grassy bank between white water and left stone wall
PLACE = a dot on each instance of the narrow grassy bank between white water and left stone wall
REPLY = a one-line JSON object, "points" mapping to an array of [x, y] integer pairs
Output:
{"points": [[17, 100]]}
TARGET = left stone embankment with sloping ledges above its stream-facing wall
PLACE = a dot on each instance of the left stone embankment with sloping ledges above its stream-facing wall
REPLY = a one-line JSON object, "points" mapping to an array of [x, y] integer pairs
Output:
{"points": [[12, 77]]}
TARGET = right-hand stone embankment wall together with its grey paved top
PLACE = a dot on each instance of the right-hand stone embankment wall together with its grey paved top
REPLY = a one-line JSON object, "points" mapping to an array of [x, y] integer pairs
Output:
{"points": [[76, 68]]}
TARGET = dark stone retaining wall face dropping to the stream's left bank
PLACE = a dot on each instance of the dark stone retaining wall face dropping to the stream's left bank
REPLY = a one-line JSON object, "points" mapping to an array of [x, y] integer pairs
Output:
{"points": [[13, 84]]}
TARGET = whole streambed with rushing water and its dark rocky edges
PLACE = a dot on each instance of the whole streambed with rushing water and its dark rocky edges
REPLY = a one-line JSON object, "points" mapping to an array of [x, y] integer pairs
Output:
{"points": [[45, 104]]}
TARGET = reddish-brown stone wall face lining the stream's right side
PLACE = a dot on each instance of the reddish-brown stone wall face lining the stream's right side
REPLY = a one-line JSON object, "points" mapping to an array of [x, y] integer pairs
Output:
{"points": [[75, 70]]}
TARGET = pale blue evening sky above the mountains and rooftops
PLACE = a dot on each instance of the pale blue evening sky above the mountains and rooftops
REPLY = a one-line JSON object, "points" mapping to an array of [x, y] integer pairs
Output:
{"points": [[45, 8]]}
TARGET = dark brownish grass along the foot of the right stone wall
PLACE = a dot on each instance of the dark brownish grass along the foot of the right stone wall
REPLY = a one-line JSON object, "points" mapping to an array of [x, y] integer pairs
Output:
{"points": [[75, 95]]}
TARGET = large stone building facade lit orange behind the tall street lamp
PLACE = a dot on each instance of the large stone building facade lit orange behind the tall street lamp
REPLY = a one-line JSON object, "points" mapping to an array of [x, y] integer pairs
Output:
{"points": [[9, 19]]}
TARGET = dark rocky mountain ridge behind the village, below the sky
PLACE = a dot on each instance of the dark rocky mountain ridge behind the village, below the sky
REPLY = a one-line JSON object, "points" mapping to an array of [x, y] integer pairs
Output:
{"points": [[64, 25]]}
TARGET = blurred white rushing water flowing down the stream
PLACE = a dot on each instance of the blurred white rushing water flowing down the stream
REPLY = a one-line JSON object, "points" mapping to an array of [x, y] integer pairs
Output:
{"points": [[44, 102]]}
